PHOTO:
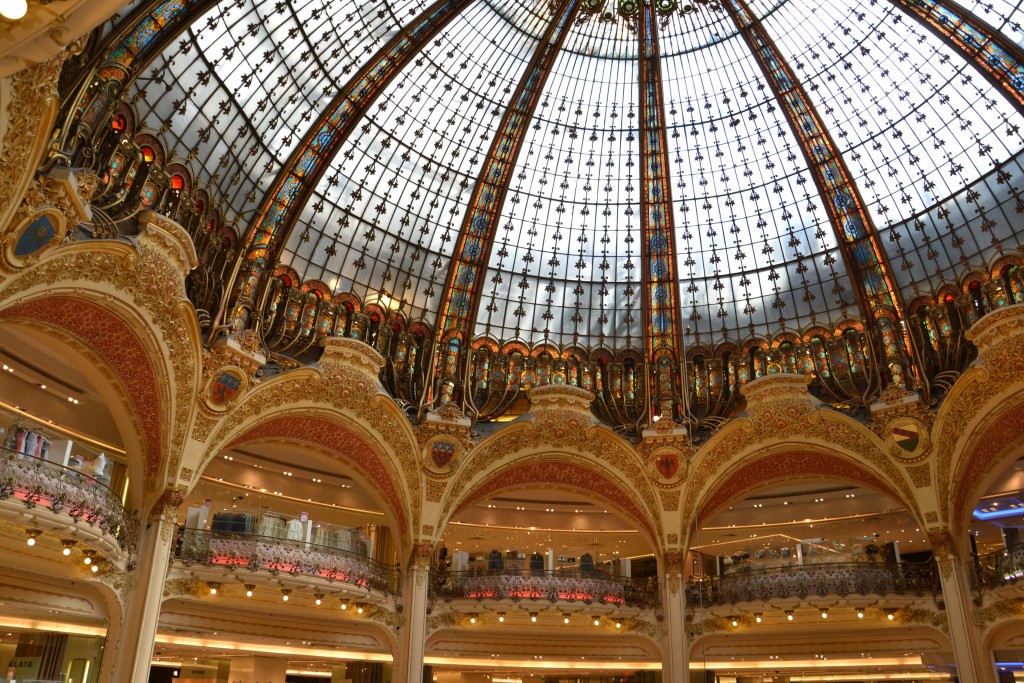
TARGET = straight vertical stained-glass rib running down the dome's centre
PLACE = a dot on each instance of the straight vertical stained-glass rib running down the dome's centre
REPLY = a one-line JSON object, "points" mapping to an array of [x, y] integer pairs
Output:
{"points": [[658, 244]]}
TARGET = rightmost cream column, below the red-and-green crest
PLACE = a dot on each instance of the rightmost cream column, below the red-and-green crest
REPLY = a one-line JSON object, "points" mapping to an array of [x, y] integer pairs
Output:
{"points": [[974, 664]]}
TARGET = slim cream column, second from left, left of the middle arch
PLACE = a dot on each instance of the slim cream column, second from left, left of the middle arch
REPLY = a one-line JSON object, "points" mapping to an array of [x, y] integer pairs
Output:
{"points": [[415, 585]]}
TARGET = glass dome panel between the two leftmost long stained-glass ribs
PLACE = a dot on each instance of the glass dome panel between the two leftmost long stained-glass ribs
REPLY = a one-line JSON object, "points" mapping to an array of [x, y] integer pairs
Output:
{"points": [[387, 216]]}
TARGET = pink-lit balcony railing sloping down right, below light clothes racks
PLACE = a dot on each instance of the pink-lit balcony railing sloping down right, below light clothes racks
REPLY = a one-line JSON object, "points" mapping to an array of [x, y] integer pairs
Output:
{"points": [[283, 557]]}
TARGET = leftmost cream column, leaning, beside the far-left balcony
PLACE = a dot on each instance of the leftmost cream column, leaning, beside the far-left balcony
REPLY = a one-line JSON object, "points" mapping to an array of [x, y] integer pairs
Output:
{"points": [[131, 639]]}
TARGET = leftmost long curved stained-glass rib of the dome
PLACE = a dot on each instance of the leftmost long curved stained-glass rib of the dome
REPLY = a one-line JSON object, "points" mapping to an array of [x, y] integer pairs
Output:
{"points": [[308, 164]]}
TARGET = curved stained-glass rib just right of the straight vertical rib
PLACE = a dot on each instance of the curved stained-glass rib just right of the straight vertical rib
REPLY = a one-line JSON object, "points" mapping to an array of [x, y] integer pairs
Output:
{"points": [[878, 295]]}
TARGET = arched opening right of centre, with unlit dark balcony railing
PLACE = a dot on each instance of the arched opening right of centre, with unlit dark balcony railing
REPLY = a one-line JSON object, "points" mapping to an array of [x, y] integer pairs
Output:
{"points": [[810, 574]]}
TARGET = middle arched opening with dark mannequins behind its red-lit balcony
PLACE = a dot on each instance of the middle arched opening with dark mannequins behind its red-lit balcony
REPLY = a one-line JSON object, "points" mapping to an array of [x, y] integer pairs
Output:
{"points": [[544, 575]]}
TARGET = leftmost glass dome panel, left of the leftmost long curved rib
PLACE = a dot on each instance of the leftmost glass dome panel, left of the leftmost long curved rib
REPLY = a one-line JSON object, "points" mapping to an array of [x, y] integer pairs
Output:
{"points": [[245, 81]]}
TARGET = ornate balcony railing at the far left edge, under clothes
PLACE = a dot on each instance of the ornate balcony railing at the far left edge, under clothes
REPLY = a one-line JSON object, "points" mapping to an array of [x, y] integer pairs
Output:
{"points": [[62, 490]]}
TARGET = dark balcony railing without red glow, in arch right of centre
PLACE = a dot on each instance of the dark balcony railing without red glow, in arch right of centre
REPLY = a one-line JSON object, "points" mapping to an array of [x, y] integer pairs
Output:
{"points": [[821, 580]]}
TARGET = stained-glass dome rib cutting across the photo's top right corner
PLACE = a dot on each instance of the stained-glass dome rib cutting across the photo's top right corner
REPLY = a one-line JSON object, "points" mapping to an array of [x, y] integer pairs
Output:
{"points": [[1000, 60]]}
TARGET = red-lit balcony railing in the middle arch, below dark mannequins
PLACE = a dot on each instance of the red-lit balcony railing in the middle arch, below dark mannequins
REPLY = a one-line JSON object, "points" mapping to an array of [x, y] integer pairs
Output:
{"points": [[544, 585]]}
